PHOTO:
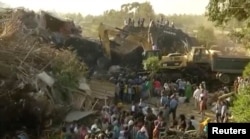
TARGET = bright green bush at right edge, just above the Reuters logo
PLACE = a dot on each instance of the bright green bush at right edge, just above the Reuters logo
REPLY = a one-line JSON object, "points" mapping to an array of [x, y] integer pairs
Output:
{"points": [[240, 109]]}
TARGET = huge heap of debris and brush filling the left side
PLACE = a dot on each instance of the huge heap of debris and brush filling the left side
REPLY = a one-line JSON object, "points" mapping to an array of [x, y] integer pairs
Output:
{"points": [[38, 83]]}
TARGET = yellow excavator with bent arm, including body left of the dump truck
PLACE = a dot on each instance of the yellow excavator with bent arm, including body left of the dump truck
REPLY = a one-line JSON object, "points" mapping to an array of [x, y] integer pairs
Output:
{"points": [[170, 61]]}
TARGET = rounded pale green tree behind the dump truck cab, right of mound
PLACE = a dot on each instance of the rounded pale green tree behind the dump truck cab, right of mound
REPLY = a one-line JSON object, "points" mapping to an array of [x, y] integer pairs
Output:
{"points": [[205, 35]]}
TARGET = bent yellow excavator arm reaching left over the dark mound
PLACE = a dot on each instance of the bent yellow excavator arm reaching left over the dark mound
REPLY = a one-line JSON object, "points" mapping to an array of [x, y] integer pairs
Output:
{"points": [[127, 42]]}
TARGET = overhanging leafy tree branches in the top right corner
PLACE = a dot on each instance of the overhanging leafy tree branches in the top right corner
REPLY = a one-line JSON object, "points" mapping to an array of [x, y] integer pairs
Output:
{"points": [[233, 14]]}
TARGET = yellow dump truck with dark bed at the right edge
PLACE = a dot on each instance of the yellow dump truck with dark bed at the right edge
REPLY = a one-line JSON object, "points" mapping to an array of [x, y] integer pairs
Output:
{"points": [[215, 64]]}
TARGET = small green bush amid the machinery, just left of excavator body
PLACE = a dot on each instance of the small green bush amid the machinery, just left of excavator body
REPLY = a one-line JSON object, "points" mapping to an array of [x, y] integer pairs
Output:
{"points": [[152, 64]]}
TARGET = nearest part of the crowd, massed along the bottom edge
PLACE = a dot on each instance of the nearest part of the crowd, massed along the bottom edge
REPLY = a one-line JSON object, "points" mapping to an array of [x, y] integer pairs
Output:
{"points": [[136, 123]]}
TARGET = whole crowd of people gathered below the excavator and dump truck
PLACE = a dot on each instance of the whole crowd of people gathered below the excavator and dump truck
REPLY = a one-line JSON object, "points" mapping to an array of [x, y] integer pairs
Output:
{"points": [[143, 121]]}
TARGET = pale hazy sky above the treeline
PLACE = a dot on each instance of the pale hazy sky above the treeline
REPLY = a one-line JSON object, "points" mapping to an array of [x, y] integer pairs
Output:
{"points": [[97, 7]]}
